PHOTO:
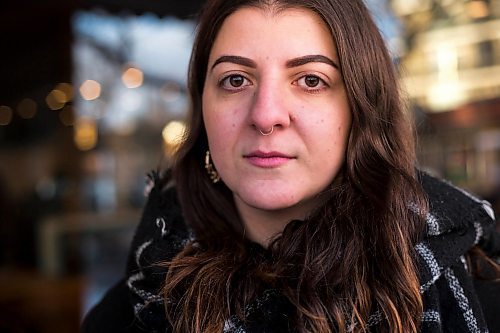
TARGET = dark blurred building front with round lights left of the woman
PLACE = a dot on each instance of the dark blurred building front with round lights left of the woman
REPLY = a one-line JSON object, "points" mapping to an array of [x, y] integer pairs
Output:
{"points": [[92, 98]]}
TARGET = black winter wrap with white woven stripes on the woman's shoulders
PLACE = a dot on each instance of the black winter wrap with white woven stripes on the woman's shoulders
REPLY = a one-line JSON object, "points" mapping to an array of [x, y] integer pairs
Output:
{"points": [[453, 300]]}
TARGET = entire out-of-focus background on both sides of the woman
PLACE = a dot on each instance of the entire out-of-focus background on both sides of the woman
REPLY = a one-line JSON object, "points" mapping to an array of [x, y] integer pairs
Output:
{"points": [[93, 97]]}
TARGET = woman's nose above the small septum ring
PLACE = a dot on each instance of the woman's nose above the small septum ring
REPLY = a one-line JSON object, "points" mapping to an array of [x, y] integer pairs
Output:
{"points": [[269, 107]]}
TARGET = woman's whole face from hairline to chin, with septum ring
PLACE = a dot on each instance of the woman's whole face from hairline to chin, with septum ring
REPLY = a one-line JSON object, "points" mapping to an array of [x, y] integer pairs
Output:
{"points": [[276, 70]]}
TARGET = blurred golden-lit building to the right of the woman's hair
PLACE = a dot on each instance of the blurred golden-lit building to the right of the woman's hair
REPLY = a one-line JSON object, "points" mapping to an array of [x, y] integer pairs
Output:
{"points": [[450, 64]]}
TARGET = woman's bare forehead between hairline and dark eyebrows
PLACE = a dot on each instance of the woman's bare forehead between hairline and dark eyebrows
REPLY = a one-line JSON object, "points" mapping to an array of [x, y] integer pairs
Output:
{"points": [[259, 32]]}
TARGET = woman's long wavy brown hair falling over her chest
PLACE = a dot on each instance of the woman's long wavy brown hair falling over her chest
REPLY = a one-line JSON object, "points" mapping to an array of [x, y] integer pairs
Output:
{"points": [[352, 257]]}
